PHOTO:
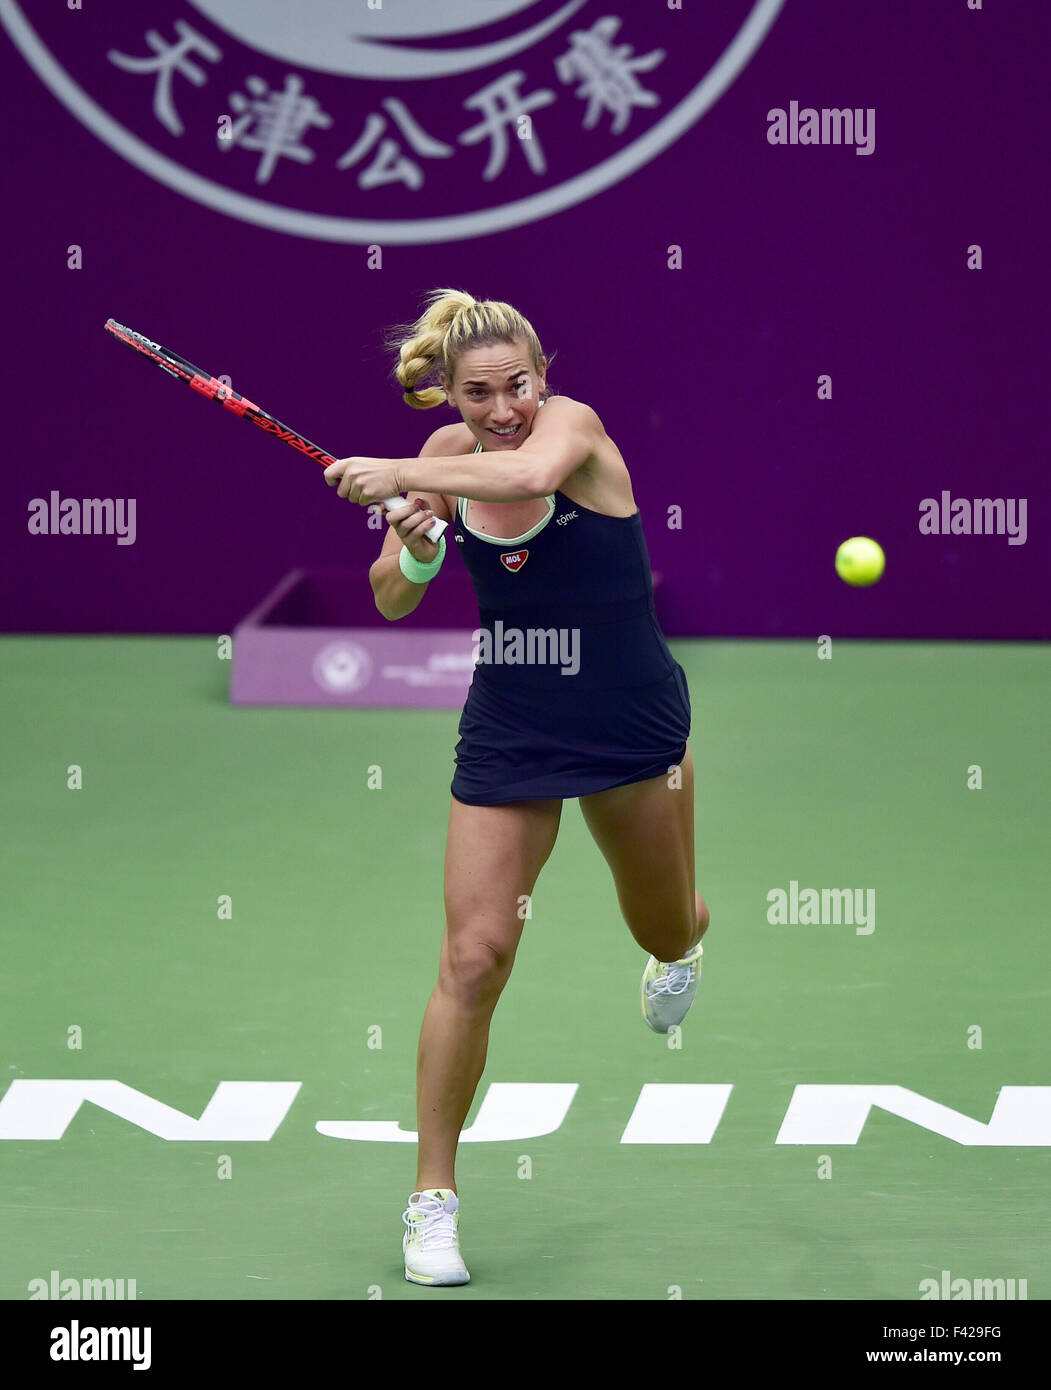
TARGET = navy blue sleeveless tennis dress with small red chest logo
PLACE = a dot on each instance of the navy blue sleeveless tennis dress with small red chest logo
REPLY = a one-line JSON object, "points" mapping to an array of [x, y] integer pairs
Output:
{"points": [[575, 689]]}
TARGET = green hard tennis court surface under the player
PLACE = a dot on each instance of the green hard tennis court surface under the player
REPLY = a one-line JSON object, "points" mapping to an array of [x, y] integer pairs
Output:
{"points": [[227, 900]]}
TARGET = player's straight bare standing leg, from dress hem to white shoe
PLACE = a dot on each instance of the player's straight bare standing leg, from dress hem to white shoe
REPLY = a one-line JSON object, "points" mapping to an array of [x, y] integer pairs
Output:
{"points": [[493, 860]]}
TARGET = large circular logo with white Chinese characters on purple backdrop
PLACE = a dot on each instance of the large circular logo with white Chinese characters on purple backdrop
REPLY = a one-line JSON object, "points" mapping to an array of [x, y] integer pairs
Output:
{"points": [[323, 119]]}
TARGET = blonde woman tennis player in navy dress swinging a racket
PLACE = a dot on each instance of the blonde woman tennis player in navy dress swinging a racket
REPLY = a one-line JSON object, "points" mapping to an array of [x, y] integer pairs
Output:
{"points": [[575, 696]]}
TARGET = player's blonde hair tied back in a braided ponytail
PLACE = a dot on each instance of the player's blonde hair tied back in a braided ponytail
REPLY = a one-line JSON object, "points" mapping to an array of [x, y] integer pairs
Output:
{"points": [[454, 323]]}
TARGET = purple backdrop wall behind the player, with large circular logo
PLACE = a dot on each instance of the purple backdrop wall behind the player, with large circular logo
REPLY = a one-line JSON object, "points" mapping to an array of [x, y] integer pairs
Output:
{"points": [[364, 170]]}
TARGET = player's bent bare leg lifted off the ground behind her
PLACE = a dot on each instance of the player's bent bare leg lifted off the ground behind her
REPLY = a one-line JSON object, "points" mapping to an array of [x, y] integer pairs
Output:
{"points": [[646, 833]]}
